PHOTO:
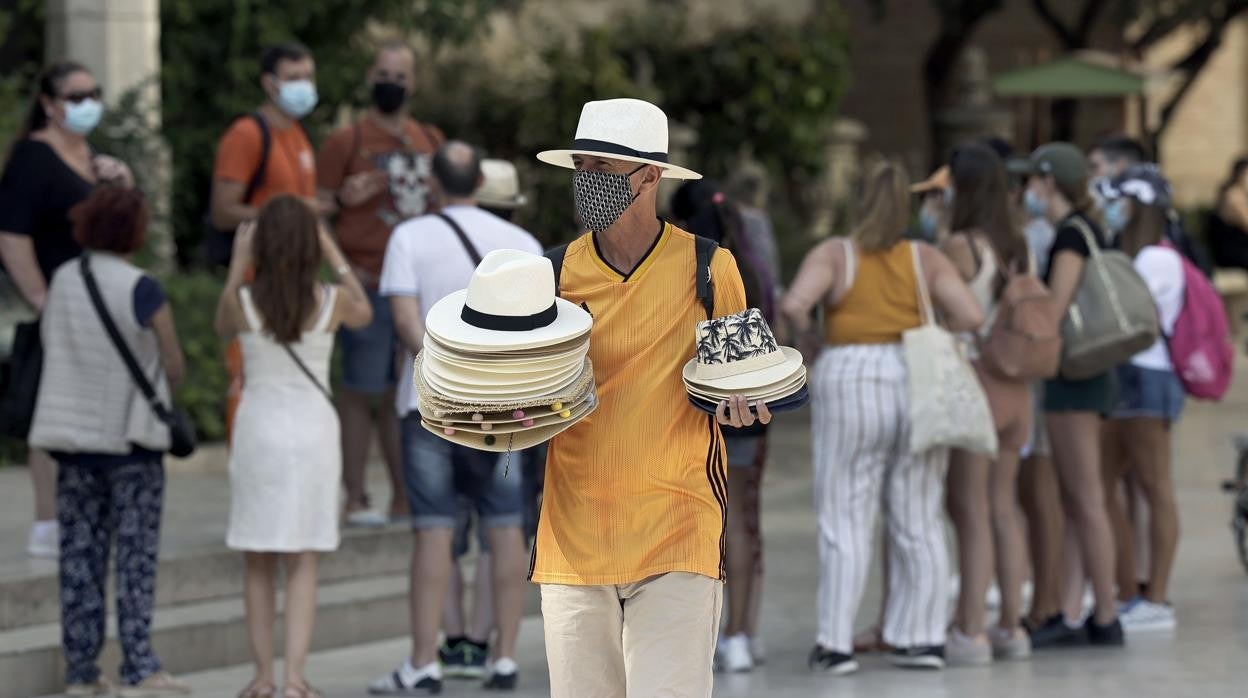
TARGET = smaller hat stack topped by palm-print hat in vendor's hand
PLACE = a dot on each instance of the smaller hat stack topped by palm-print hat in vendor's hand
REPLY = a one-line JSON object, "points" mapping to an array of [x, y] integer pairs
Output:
{"points": [[739, 355]]}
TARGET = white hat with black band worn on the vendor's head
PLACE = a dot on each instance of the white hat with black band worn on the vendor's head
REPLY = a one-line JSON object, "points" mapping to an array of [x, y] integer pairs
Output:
{"points": [[623, 129]]}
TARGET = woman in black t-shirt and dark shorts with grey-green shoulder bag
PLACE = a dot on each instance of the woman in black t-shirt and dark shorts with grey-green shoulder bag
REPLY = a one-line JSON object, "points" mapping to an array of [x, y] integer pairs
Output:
{"points": [[1059, 189]]}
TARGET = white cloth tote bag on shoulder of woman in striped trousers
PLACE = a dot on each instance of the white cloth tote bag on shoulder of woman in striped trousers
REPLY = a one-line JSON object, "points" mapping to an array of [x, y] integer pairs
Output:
{"points": [[948, 406]]}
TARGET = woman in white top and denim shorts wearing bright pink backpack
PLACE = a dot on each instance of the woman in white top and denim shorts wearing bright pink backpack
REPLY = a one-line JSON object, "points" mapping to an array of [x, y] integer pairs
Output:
{"points": [[1138, 438]]}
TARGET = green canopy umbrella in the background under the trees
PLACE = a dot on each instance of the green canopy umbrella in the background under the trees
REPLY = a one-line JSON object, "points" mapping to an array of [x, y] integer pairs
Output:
{"points": [[1070, 77]]}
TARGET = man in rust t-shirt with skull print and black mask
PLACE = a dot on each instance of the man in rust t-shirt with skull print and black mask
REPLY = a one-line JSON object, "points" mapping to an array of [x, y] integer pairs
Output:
{"points": [[375, 175]]}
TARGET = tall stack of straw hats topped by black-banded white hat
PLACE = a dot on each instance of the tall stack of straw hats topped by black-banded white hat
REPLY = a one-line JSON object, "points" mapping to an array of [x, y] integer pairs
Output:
{"points": [[506, 363]]}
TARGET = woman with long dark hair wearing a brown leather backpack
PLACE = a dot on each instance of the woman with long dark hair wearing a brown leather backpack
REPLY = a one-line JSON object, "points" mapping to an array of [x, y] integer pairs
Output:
{"points": [[984, 495]]}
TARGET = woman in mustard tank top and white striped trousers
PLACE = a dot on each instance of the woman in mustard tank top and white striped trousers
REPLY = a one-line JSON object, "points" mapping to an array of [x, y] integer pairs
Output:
{"points": [[862, 428]]}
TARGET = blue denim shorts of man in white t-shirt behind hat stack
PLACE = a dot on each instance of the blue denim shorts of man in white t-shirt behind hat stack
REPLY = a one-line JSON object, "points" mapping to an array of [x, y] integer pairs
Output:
{"points": [[439, 474]]}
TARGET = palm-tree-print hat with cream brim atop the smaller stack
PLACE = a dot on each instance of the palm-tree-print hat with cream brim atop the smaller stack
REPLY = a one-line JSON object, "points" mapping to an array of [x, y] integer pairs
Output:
{"points": [[738, 354]]}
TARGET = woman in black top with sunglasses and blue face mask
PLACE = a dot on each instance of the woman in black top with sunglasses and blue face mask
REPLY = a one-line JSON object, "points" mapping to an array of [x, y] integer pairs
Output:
{"points": [[51, 169]]}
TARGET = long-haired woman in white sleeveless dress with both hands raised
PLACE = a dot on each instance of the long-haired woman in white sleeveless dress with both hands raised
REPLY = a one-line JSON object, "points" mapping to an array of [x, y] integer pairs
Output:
{"points": [[285, 459]]}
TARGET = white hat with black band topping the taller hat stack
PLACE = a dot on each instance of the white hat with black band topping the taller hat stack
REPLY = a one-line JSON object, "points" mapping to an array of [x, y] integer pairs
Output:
{"points": [[510, 304]]}
